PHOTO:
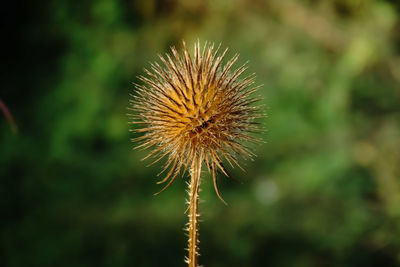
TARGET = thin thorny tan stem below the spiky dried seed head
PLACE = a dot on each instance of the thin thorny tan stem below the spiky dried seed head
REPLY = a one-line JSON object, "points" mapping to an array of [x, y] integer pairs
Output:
{"points": [[193, 211]]}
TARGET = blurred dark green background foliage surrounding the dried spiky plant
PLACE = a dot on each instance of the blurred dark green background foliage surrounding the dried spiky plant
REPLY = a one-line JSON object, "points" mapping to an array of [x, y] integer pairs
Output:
{"points": [[323, 191]]}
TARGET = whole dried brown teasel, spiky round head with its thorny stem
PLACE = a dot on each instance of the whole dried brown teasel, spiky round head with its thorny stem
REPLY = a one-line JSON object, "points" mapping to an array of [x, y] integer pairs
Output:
{"points": [[195, 111]]}
